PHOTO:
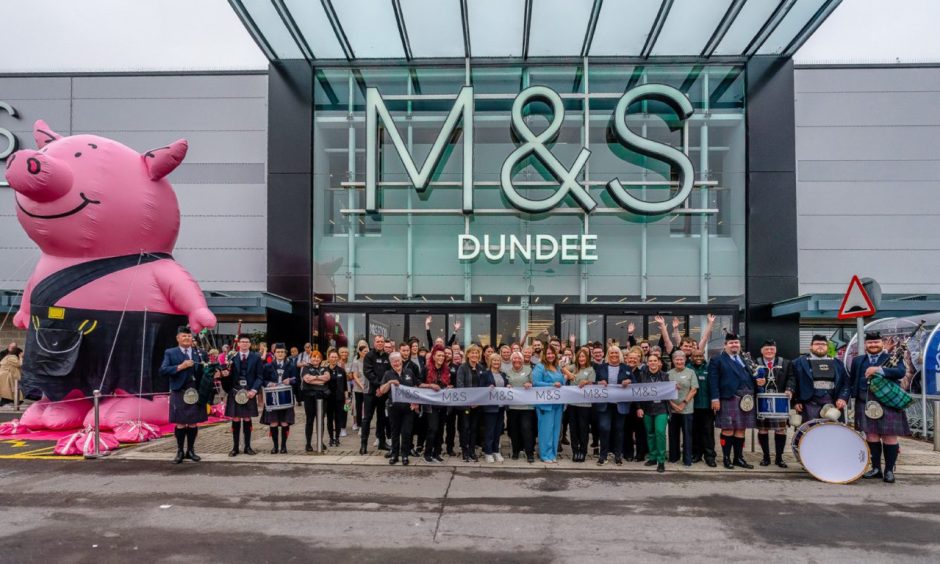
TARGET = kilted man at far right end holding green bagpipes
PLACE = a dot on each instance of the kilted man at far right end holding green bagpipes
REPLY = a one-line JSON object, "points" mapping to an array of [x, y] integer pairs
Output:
{"points": [[881, 431]]}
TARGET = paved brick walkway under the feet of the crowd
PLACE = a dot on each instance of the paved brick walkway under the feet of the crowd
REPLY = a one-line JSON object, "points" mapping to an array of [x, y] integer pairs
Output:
{"points": [[214, 443]]}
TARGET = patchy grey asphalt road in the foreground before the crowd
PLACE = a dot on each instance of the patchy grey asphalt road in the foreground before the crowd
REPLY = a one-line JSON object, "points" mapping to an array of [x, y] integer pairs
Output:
{"points": [[122, 511]]}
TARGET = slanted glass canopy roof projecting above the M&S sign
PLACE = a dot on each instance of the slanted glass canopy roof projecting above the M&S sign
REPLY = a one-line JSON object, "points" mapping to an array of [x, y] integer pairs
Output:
{"points": [[530, 29]]}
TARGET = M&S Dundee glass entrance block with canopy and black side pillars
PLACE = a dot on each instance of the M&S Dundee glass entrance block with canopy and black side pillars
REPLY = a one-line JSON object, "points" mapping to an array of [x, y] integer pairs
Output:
{"points": [[572, 169]]}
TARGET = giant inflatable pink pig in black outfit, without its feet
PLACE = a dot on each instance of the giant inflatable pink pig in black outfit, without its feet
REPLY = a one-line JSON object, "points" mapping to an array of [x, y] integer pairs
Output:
{"points": [[106, 294]]}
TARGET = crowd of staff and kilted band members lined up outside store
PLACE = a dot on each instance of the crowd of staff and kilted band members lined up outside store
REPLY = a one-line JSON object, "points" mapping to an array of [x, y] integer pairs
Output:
{"points": [[355, 386]]}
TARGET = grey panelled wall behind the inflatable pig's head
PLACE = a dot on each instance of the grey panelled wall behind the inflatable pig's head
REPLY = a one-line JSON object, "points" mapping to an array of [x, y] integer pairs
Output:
{"points": [[221, 186]]}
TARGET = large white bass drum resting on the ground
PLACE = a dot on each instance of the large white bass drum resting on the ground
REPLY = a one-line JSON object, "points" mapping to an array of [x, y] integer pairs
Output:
{"points": [[830, 451]]}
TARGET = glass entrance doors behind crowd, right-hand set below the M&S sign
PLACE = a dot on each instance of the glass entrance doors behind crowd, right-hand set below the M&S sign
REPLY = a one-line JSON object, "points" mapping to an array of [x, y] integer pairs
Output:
{"points": [[597, 322]]}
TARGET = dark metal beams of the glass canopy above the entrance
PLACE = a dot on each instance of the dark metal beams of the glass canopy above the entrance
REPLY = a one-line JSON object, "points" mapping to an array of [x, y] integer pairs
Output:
{"points": [[777, 16]]}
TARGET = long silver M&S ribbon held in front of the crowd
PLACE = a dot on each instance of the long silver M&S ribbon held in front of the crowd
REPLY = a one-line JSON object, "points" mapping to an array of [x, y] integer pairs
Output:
{"points": [[653, 391]]}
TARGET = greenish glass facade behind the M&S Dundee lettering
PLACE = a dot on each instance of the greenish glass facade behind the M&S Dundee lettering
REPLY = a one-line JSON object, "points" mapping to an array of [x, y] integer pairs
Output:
{"points": [[694, 255]]}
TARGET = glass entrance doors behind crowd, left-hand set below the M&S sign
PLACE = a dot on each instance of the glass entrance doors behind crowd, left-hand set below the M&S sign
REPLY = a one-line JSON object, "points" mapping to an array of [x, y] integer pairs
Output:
{"points": [[343, 325]]}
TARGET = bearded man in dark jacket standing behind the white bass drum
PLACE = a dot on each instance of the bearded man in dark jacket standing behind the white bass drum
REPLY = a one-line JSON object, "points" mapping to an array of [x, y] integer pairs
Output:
{"points": [[818, 380]]}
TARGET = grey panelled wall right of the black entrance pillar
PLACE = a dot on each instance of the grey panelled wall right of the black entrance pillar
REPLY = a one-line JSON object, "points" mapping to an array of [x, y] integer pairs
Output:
{"points": [[868, 177]]}
